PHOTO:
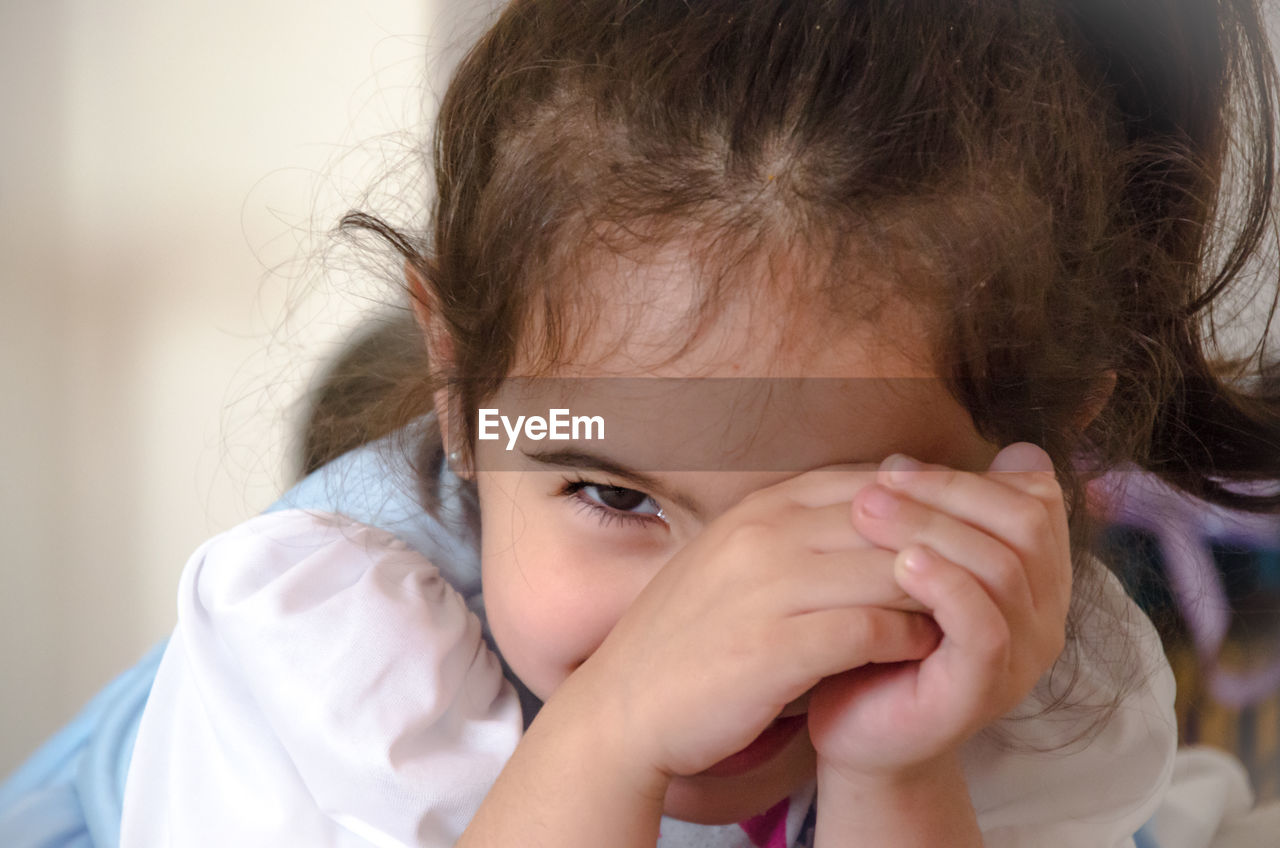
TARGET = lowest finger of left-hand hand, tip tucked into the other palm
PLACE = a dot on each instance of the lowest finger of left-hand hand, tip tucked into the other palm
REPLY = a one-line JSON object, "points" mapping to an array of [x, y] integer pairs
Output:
{"points": [[833, 641]]}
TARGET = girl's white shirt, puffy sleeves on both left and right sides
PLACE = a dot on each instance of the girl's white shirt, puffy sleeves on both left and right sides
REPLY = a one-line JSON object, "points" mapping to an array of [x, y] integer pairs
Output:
{"points": [[327, 686]]}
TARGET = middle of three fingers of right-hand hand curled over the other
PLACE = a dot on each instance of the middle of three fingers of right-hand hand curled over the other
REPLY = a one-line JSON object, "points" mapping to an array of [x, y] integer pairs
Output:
{"points": [[998, 567]]}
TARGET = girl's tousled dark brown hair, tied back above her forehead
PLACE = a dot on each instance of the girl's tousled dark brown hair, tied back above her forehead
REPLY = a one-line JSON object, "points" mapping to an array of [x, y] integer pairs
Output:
{"points": [[1068, 188]]}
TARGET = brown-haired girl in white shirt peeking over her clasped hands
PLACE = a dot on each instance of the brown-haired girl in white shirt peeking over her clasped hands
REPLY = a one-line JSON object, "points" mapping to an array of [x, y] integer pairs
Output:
{"points": [[900, 279]]}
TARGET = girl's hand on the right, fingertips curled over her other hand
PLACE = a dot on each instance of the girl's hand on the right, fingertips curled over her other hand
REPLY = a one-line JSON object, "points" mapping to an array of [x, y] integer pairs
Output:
{"points": [[989, 554]]}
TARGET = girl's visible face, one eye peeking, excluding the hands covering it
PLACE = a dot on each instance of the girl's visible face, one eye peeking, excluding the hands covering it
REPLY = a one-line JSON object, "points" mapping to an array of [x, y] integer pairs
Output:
{"points": [[568, 546]]}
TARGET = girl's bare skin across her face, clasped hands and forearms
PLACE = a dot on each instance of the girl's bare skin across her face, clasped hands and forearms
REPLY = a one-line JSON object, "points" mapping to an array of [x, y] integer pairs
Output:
{"points": [[664, 645]]}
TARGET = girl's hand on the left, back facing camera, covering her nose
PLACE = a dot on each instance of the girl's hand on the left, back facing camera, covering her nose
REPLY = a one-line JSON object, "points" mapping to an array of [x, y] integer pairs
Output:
{"points": [[775, 595]]}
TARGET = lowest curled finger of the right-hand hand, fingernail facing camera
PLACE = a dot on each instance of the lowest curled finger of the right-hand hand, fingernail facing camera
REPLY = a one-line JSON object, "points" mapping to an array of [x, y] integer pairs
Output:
{"points": [[976, 650]]}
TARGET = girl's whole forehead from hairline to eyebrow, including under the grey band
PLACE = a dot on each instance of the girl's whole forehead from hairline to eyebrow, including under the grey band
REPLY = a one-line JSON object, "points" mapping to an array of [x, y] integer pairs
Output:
{"points": [[770, 384]]}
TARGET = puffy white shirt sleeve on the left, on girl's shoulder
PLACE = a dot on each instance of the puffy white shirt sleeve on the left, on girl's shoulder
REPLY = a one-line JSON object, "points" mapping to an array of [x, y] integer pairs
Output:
{"points": [[324, 687]]}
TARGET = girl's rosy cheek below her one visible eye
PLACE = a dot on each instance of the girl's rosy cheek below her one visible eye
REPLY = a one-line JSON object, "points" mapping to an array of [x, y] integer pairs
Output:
{"points": [[551, 604]]}
